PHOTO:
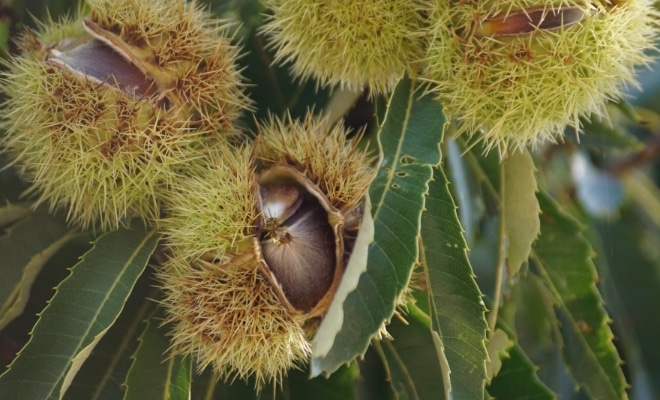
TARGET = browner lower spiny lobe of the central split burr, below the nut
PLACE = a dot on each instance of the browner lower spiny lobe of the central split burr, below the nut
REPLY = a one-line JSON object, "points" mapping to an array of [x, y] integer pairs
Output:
{"points": [[225, 313]]}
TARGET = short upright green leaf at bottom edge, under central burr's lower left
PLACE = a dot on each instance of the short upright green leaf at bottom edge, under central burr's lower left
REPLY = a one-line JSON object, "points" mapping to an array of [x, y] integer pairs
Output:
{"points": [[152, 376]]}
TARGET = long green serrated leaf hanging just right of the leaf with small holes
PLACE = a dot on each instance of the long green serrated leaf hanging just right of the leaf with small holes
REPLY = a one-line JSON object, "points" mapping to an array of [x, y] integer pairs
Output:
{"points": [[457, 309]]}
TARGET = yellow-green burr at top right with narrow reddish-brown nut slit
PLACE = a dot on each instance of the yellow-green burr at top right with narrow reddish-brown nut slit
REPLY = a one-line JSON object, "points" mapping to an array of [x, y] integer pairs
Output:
{"points": [[512, 86]]}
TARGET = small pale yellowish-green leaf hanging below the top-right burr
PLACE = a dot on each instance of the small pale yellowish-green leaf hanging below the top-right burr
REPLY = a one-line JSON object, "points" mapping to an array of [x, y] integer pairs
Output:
{"points": [[520, 208]]}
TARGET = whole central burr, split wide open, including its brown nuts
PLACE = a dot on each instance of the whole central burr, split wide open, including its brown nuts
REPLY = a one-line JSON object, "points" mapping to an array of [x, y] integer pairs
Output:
{"points": [[260, 247]]}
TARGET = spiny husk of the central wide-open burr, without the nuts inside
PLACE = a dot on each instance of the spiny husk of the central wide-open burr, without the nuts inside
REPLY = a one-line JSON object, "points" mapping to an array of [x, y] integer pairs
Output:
{"points": [[224, 303]]}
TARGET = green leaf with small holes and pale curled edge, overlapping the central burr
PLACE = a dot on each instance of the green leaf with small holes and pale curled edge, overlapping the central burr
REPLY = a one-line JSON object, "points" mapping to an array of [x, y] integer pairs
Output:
{"points": [[409, 145]]}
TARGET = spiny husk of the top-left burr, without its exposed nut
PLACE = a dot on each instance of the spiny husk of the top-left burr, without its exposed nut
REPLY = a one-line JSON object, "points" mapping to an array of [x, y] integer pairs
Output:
{"points": [[106, 153]]}
